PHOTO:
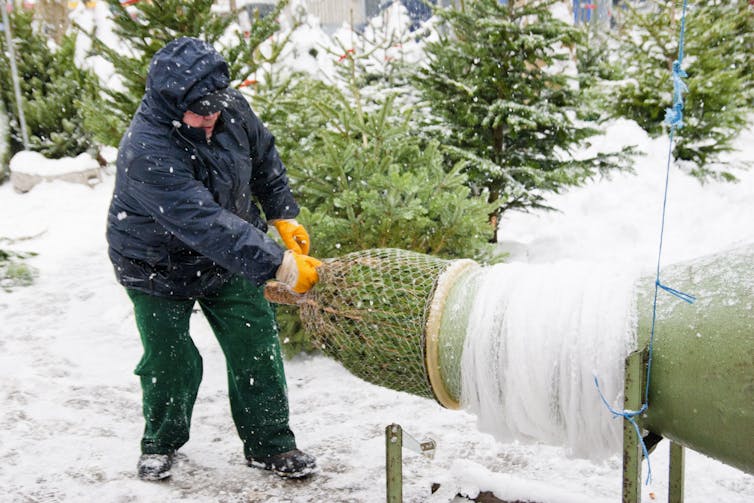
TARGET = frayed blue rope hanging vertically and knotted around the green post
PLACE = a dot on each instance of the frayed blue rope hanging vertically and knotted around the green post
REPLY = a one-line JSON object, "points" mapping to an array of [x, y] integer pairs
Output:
{"points": [[674, 118]]}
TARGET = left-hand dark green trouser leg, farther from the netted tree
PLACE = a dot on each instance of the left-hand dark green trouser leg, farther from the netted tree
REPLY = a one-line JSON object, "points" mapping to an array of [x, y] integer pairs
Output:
{"points": [[170, 370]]}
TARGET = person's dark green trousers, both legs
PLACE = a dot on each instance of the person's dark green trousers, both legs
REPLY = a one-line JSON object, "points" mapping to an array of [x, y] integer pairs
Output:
{"points": [[171, 368]]}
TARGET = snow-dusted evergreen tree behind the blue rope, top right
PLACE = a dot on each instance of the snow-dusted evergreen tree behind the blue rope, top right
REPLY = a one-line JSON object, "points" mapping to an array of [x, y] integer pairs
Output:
{"points": [[718, 41]]}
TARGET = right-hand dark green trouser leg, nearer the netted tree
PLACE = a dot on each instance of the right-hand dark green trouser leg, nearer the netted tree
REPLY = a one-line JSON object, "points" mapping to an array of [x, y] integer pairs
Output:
{"points": [[244, 324]]}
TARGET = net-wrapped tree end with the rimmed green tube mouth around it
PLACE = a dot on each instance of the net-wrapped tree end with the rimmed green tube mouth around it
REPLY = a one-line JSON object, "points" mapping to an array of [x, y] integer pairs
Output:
{"points": [[392, 317]]}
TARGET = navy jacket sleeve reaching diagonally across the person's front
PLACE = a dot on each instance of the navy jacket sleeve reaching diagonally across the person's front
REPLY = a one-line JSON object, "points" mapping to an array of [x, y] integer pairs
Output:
{"points": [[169, 193]]}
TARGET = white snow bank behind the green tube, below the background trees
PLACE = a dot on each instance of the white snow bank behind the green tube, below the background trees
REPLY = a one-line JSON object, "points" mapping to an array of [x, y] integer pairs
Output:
{"points": [[617, 220]]}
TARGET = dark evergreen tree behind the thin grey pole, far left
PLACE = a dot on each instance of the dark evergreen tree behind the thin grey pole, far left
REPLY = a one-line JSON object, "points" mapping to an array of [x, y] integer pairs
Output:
{"points": [[52, 89]]}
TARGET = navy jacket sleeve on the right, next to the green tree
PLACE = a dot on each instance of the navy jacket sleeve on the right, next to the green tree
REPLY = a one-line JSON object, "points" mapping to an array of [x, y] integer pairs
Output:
{"points": [[269, 181]]}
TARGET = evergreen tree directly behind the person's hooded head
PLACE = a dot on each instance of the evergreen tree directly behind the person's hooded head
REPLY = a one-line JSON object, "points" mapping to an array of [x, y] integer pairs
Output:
{"points": [[143, 29]]}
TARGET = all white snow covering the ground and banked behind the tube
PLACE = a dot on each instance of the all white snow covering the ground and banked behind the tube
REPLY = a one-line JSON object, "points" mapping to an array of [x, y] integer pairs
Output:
{"points": [[70, 418]]}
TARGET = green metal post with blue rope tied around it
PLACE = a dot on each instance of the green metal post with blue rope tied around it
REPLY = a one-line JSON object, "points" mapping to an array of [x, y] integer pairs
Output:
{"points": [[632, 392]]}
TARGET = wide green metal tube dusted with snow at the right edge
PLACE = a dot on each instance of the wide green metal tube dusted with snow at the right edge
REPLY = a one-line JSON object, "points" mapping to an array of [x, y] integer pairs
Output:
{"points": [[701, 392]]}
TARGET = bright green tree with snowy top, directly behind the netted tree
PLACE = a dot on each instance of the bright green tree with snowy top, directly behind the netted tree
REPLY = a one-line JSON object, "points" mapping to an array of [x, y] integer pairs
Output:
{"points": [[365, 178]]}
